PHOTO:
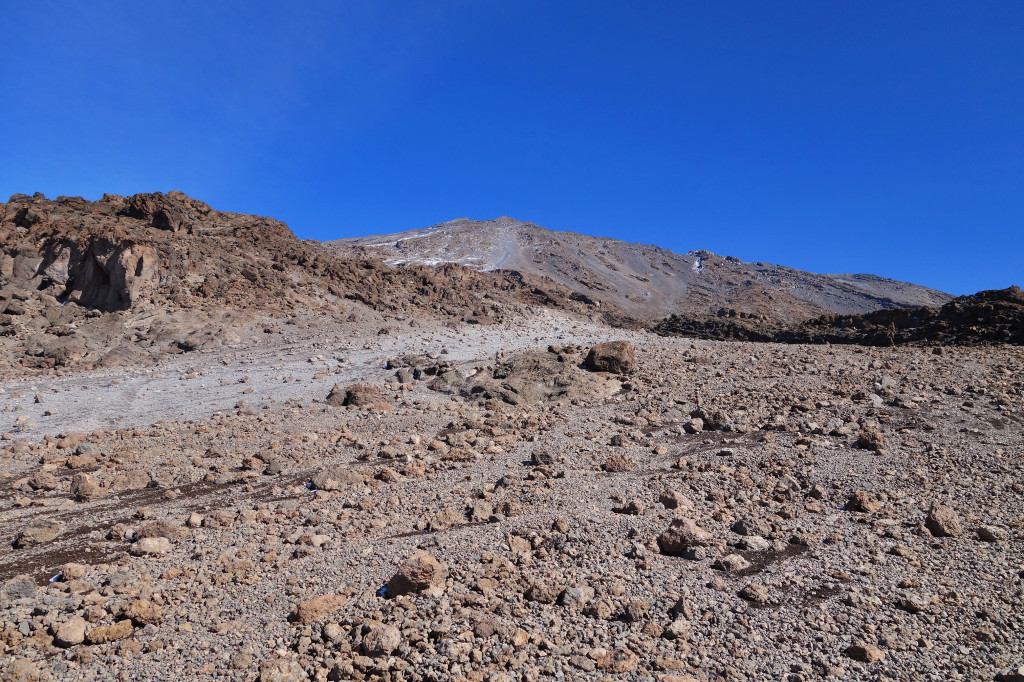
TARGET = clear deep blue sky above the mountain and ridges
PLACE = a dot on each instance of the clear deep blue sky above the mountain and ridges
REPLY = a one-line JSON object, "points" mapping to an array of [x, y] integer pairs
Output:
{"points": [[857, 137]]}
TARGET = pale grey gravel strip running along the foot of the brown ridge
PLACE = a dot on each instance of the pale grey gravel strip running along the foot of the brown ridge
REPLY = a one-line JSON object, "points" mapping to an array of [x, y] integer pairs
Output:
{"points": [[199, 386]]}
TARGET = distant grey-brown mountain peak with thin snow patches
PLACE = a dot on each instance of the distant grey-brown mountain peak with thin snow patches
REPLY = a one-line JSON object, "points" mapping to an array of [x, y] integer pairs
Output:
{"points": [[647, 282]]}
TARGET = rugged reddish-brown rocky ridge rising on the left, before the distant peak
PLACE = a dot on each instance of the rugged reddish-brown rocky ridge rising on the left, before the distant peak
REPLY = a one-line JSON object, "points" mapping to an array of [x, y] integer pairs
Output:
{"points": [[129, 281]]}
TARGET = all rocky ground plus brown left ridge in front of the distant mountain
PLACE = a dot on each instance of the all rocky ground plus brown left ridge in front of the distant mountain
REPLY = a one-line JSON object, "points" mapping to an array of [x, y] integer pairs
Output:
{"points": [[444, 475]]}
